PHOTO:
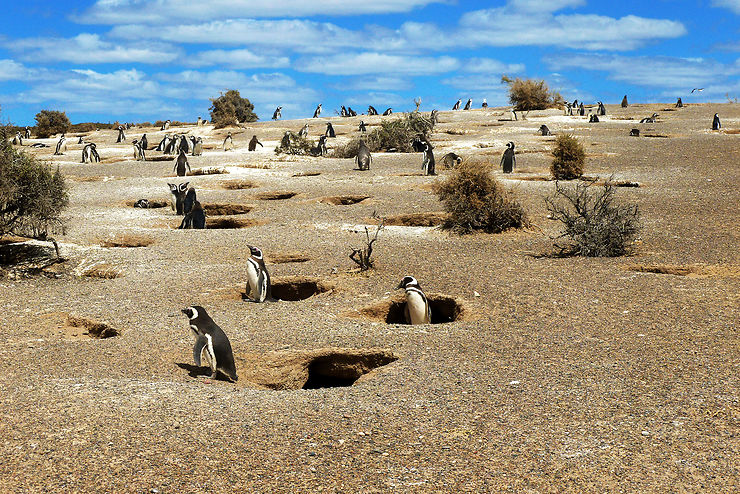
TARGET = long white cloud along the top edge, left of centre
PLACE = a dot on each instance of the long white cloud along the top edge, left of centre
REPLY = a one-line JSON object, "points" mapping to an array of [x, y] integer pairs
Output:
{"points": [[167, 11]]}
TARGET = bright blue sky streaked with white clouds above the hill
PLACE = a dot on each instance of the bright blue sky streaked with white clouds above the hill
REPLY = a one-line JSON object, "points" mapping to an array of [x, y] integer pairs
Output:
{"points": [[148, 60]]}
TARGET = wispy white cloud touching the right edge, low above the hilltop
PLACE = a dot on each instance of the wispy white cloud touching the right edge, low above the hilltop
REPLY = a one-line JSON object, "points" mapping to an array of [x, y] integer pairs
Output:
{"points": [[660, 72]]}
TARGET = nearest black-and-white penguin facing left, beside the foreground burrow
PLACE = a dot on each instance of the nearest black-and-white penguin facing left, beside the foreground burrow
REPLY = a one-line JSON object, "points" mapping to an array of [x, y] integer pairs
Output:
{"points": [[211, 342]]}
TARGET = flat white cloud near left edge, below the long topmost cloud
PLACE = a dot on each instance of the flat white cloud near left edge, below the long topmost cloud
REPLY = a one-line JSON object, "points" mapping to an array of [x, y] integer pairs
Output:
{"points": [[90, 48]]}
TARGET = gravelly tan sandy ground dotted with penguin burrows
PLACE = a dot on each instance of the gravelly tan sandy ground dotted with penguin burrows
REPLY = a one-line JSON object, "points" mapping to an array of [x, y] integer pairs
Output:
{"points": [[575, 375]]}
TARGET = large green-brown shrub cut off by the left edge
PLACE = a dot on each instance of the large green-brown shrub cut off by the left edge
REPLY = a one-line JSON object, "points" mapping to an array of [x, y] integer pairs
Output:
{"points": [[32, 196]]}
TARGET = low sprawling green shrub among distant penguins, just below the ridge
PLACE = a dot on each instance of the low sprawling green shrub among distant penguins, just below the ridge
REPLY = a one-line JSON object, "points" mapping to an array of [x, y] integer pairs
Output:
{"points": [[397, 134]]}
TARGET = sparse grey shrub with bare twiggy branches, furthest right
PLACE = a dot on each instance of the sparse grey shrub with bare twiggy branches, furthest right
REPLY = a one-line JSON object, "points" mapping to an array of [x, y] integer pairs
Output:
{"points": [[594, 225]]}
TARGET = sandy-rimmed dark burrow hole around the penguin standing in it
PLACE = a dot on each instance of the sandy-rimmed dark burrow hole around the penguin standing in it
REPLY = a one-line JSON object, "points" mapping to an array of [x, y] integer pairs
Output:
{"points": [[392, 311]]}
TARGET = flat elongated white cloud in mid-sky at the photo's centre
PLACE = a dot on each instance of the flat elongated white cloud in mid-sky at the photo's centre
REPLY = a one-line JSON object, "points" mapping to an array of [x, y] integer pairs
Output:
{"points": [[371, 63]]}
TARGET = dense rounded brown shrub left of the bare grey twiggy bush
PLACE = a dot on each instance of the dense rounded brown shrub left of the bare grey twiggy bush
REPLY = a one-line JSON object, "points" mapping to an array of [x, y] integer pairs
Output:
{"points": [[475, 201]]}
